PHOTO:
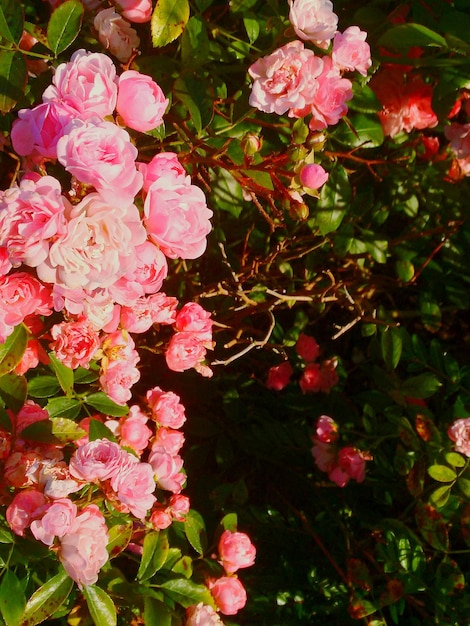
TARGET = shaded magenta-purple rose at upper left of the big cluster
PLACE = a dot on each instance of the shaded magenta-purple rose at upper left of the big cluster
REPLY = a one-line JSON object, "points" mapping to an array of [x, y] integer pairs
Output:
{"points": [[37, 130]]}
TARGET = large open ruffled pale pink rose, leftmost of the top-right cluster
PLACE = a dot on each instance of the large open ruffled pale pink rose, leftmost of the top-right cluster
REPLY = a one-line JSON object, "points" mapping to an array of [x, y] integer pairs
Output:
{"points": [[285, 79]]}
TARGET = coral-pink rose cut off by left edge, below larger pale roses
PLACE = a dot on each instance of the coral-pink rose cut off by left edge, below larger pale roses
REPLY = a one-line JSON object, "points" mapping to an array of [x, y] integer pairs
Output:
{"points": [[21, 295]]}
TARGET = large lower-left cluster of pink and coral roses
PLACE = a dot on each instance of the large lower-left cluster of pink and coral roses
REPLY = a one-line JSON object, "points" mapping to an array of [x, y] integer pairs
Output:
{"points": [[43, 480]]}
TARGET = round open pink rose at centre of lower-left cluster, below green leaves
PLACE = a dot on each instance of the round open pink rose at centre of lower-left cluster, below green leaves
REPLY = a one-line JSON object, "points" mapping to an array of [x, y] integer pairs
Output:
{"points": [[97, 461]]}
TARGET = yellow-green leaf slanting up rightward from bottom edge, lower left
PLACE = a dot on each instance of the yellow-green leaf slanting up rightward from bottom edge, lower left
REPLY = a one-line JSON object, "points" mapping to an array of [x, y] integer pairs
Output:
{"points": [[47, 599]]}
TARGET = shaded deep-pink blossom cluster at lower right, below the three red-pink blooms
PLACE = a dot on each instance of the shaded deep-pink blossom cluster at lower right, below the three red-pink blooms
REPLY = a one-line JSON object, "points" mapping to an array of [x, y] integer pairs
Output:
{"points": [[340, 464]]}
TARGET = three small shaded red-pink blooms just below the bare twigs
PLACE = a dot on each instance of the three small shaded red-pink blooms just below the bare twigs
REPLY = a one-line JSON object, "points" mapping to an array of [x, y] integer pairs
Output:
{"points": [[316, 376]]}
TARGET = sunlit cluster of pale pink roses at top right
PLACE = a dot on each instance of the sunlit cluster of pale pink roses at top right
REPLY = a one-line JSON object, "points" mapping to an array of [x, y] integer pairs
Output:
{"points": [[297, 81]]}
